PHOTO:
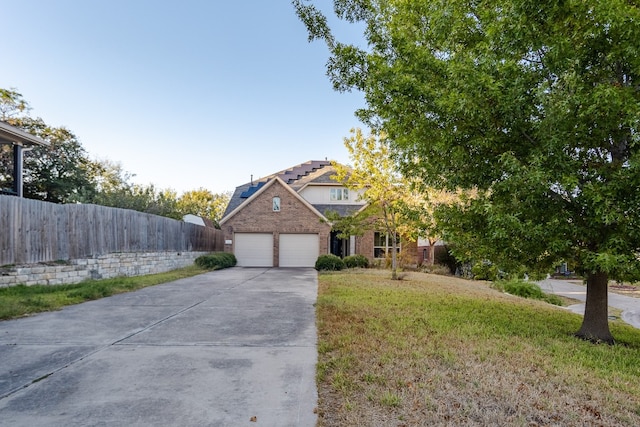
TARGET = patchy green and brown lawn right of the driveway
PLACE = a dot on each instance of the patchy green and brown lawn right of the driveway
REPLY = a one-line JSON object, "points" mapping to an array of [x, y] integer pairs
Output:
{"points": [[440, 351]]}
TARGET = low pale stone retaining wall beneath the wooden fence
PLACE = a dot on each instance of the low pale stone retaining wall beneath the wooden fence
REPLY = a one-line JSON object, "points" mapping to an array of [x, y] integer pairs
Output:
{"points": [[99, 267]]}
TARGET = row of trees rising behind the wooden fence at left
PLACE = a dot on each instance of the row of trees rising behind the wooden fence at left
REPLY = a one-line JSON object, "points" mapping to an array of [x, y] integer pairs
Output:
{"points": [[63, 172]]}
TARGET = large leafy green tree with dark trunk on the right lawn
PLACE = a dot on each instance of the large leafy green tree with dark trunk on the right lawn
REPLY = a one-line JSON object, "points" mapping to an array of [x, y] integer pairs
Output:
{"points": [[534, 104]]}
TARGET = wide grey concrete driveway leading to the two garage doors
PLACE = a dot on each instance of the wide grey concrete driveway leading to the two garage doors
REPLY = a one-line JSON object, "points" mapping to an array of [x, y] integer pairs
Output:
{"points": [[234, 347]]}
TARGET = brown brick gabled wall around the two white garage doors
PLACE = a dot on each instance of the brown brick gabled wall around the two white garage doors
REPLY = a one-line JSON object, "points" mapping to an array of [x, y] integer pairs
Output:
{"points": [[294, 217]]}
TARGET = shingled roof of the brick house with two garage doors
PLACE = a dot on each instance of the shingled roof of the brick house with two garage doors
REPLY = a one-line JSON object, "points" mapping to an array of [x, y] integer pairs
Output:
{"points": [[296, 178]]}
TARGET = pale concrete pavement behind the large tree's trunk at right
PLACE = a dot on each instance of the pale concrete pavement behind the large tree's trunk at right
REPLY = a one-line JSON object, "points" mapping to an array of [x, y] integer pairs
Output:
{"points": [[629, 306]]}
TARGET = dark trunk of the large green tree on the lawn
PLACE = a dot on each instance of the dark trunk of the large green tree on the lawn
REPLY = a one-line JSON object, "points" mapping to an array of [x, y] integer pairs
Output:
{"points": [[595, 324]]}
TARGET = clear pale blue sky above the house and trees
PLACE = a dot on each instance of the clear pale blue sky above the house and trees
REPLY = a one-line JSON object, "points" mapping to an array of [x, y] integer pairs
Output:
{"points": [[184, 94]]}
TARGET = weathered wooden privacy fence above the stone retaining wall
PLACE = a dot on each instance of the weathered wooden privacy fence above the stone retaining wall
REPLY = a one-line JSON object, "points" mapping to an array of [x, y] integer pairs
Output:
{"points": [[33, 231]]}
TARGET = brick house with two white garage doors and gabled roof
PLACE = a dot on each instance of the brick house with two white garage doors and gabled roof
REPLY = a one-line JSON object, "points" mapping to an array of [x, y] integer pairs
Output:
{"points": [[279, 220]]}
